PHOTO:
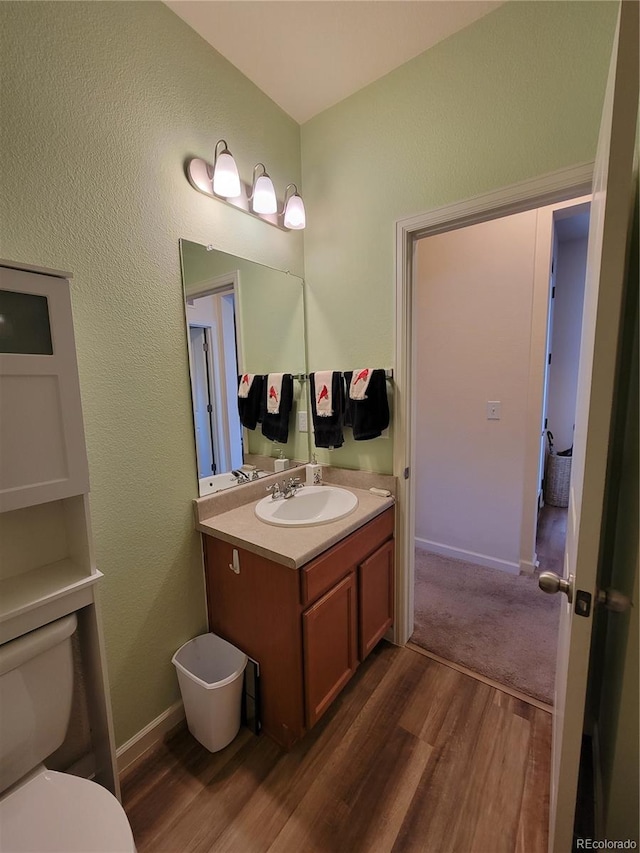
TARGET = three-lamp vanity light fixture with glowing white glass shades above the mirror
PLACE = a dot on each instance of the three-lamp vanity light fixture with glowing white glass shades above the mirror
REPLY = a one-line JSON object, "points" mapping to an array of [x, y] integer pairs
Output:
{"points": [[222, 182]]}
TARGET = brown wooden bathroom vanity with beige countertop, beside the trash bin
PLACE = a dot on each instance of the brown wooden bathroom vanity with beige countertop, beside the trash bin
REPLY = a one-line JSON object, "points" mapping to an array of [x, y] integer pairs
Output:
{"points": [[309, 604]]}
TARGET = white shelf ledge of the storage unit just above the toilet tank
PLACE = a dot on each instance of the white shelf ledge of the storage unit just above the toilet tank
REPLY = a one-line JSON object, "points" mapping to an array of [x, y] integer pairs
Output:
{"points": [[43, 594]]}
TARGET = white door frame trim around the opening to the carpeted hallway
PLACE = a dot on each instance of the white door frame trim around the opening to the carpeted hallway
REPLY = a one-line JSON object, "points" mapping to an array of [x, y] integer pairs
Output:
{"points": [[545, 190]]}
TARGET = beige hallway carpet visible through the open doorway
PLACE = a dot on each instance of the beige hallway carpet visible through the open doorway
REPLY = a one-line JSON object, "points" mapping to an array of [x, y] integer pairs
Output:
{"points": [[499, 625]]}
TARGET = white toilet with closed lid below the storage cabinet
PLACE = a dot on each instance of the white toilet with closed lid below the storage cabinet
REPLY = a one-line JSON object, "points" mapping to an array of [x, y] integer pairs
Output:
{"points": [[43, 811]]}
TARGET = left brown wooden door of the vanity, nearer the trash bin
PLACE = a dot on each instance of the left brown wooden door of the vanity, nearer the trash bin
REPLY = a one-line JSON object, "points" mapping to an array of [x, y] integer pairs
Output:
{"points": [[330, 655]]}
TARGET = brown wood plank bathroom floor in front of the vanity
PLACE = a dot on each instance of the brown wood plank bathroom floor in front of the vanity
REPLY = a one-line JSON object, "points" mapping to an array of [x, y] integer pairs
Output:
{"points": [[413, 756]]}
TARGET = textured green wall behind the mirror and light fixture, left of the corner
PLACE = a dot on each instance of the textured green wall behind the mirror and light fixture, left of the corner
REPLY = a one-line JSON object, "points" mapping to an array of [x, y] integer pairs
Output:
{"points": [[101, 105]]}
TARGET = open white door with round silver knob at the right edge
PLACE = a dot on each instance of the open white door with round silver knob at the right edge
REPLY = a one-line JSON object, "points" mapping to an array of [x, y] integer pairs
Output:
{"points": [[608, 232]]}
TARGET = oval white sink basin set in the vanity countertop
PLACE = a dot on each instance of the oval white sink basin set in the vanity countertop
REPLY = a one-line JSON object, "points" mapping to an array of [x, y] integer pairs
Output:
{"points": [[309, 506]]}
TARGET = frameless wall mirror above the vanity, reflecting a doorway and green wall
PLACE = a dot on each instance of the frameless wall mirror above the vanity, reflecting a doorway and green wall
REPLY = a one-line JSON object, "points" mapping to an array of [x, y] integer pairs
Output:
{"points": [[242, 317]]}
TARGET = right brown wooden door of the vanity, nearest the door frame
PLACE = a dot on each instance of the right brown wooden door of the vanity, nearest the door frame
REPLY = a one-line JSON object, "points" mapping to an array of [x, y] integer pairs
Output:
{"points": [[375, 597]]}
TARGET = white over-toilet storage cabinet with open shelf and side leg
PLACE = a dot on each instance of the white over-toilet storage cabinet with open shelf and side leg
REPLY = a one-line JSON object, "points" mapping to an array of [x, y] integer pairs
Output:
{"points": [[47, 563]]}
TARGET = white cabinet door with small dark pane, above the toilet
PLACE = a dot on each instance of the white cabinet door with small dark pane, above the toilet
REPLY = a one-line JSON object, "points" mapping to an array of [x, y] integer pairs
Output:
{"points": [[42, 435]]}
